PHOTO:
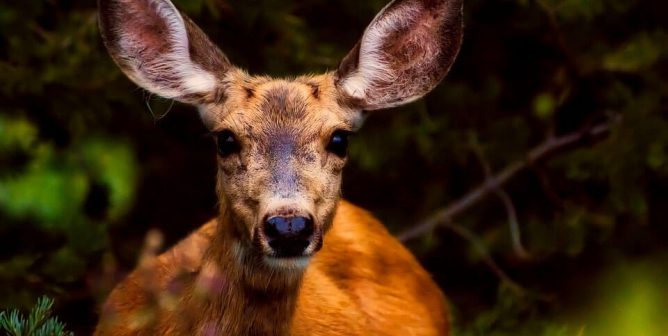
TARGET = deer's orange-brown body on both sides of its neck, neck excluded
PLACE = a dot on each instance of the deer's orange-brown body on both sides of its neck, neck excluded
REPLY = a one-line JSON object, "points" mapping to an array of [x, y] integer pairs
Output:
{"points": [[362, 280]]}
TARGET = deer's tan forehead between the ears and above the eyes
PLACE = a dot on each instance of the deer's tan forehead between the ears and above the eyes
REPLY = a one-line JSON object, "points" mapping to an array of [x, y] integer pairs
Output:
{"points": [[261, 104]]}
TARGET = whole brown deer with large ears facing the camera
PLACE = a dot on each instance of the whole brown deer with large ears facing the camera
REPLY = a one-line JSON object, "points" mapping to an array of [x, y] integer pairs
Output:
{"points": [[286, 255]]}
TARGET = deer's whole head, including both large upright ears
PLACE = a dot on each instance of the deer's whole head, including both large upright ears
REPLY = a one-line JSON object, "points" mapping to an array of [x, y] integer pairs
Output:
{"points": [[282, 143]]}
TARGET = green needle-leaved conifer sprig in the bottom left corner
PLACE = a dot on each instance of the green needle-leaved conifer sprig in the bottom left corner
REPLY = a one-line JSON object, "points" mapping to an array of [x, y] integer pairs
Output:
{"points": [[38, 323]]}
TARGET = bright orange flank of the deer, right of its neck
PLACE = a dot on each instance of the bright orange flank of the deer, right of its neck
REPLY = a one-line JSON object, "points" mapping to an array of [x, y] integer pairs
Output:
{"points": [[364, 280]]}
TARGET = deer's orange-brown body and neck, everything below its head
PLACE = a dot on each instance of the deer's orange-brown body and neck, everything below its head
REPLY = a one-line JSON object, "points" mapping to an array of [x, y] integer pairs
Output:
{"points": [[363, 282]]}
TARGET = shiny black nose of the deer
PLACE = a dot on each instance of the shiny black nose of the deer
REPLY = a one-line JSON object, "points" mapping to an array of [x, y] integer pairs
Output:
{"points": [[288, 236]]}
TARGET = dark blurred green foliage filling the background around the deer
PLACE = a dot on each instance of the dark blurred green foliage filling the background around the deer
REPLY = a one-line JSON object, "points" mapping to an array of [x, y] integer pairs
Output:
{"points": [[86, 169]]}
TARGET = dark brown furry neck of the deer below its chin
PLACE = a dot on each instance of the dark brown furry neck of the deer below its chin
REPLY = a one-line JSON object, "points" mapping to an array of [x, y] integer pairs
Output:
{"points": [[242, 295]]}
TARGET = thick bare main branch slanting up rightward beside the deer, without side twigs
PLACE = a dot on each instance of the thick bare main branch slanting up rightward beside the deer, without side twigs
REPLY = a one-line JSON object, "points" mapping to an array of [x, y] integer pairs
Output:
{"points": [[551, 145]]}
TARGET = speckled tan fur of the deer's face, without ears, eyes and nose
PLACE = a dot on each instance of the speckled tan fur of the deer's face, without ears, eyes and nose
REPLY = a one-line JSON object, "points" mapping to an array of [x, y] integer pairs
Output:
{"points": [[283, 127]]}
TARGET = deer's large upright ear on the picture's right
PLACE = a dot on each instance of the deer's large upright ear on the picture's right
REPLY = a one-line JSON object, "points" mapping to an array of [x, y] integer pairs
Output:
{"points": [[404, 53]]}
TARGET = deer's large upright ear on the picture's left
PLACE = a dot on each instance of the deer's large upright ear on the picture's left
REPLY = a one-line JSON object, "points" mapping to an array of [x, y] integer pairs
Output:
{"points": [[162, 50]]}
